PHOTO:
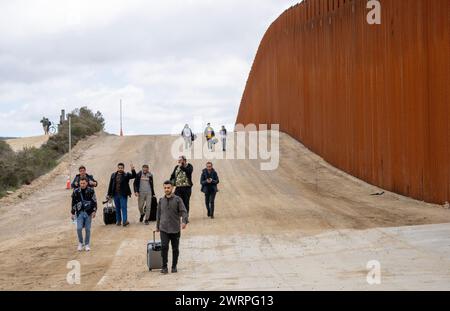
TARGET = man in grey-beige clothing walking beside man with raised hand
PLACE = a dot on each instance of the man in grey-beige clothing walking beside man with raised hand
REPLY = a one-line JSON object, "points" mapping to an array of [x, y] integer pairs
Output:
{"points": [[145, 191]]}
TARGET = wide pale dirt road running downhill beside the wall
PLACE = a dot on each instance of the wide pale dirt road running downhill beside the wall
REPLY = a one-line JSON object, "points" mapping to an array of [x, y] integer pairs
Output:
{"points": [[304, 226]]}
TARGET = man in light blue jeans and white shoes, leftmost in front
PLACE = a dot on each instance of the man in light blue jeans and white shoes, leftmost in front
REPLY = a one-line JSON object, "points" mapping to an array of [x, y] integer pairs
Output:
{"points": [[84, 208]]}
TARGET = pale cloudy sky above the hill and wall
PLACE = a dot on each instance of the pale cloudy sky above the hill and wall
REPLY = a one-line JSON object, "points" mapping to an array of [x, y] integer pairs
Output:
{"points": [[171, 61]]}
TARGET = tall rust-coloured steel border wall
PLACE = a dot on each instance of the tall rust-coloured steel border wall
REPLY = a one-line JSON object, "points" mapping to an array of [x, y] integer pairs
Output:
{"points": [[372, 100]]}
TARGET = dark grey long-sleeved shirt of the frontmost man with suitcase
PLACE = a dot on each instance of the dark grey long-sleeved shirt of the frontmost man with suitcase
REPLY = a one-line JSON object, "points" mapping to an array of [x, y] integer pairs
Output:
{"points": [[170, 211]]}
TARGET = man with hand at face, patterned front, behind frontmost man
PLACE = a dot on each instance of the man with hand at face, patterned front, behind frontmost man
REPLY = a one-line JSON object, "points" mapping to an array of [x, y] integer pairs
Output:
{"points": [[182, 179]]}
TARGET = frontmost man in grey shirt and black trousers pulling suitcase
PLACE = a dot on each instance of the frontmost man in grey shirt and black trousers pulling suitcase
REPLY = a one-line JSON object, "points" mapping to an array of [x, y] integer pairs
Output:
{"points": [[171, 217]]}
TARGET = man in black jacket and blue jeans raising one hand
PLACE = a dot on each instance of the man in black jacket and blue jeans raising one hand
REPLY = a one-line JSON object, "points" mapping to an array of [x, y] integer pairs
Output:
{"points": [[119, 190]]}
